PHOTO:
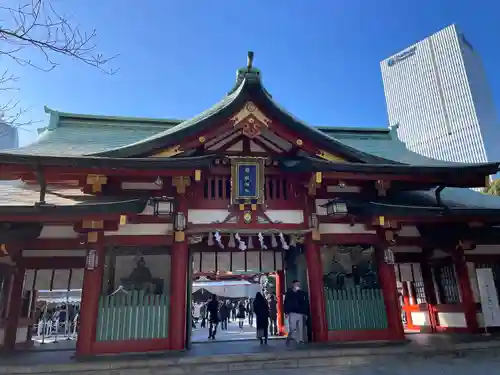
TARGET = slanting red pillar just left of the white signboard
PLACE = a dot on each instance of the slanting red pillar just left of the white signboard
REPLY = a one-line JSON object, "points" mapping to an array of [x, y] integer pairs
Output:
{"points": [[466, 292]]}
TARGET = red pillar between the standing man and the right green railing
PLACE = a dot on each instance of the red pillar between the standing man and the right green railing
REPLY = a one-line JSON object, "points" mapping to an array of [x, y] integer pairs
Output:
{"points": [[316, 290]]}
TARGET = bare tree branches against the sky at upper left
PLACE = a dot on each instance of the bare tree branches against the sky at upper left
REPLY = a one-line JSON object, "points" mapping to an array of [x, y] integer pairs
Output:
{"points": [[35, 25]]}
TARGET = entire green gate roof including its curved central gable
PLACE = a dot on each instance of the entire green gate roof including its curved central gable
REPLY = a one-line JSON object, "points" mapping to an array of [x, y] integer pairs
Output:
{"points": [[75, 135]]}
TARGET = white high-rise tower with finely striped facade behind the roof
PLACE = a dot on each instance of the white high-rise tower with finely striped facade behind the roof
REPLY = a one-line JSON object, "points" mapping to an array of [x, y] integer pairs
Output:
{"points": [[438, 96]]}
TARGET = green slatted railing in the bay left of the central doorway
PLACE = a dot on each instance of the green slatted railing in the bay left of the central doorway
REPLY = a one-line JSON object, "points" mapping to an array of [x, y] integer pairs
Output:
{"points": [[133, 316]]}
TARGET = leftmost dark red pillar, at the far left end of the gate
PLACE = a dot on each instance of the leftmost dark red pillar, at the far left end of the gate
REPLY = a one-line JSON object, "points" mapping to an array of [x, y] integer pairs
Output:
{"points": [[14, 311]]}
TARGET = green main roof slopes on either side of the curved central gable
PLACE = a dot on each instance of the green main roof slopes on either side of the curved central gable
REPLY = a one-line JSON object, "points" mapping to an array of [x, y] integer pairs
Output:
{"points": [[83, 134]]}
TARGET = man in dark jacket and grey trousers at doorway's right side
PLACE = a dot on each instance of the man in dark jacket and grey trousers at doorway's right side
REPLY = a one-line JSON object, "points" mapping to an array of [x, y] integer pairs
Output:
{"points": [[296, 308]]}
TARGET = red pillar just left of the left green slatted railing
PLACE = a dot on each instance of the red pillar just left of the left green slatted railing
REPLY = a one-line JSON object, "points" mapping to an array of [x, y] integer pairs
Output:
{"points": [[91, 292]]}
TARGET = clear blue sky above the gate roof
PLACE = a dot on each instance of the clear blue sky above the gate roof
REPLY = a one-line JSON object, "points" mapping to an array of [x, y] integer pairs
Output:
{"points": [[319, 58]]}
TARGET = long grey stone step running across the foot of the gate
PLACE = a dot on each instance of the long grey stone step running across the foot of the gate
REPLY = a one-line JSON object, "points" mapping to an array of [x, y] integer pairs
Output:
{"points": [[298, 358]]}
